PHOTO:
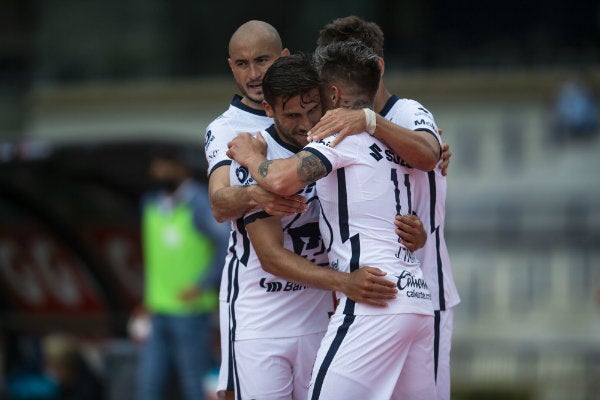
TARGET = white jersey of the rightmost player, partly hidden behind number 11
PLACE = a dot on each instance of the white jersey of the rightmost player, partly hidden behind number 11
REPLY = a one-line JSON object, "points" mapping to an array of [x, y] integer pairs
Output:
{"points": [[430, 199]]}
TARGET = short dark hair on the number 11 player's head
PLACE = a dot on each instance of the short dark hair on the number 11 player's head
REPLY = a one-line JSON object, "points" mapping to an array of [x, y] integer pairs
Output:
{"points": [[349, 63]]}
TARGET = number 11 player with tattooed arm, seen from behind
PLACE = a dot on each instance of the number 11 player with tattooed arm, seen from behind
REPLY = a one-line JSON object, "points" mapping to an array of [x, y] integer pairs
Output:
{"points": [[368, 352]]}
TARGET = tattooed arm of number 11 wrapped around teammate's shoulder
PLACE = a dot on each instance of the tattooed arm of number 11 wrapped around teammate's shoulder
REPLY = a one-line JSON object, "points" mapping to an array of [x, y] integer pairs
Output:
{"points": [[283, 176]]}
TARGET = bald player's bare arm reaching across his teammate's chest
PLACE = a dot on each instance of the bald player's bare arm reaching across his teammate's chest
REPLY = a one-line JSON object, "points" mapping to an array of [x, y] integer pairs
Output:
{"points": [[231, 202]]}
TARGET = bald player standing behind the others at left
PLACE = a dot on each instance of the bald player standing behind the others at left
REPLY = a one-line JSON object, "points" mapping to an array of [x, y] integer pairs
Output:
{"points": [[253, 47]]}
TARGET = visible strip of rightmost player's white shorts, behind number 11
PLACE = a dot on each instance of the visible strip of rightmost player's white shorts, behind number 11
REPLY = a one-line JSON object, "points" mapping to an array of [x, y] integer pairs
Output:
{"points": [[444, 322]]}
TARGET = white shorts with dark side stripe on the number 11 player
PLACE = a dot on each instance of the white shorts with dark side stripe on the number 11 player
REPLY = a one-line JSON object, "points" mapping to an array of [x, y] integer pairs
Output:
{"points": [[375, 357]]}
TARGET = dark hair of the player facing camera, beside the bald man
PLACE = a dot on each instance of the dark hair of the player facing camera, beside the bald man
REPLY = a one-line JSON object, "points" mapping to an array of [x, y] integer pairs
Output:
{"points": [[289, 76]]}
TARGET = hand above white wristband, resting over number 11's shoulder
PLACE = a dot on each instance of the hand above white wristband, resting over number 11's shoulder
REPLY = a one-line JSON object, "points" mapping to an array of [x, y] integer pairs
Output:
{"points": [[343, 120]]}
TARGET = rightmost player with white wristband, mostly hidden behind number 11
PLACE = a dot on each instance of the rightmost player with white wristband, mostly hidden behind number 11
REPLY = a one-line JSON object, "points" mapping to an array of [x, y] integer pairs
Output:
{"points": [[408, 120]]}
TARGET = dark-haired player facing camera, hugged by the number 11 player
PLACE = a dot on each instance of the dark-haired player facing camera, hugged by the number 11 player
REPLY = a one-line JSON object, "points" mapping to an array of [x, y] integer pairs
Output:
{"points": [[278, 323]]}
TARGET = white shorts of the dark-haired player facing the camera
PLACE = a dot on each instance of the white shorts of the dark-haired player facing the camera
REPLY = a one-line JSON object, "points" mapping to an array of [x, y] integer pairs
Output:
{"points": [[275, 368]]}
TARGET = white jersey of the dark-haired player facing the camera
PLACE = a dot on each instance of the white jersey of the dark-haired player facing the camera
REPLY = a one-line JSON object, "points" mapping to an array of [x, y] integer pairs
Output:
{"points": [[263, 305]]}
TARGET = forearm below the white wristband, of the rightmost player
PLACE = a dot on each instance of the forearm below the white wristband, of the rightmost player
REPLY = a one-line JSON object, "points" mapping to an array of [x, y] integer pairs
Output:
{"points": [[419, 149]]}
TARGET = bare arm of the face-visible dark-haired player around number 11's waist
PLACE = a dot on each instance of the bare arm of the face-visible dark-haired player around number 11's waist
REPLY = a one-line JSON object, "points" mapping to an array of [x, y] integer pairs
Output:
{"points": [[365, 285]]}
